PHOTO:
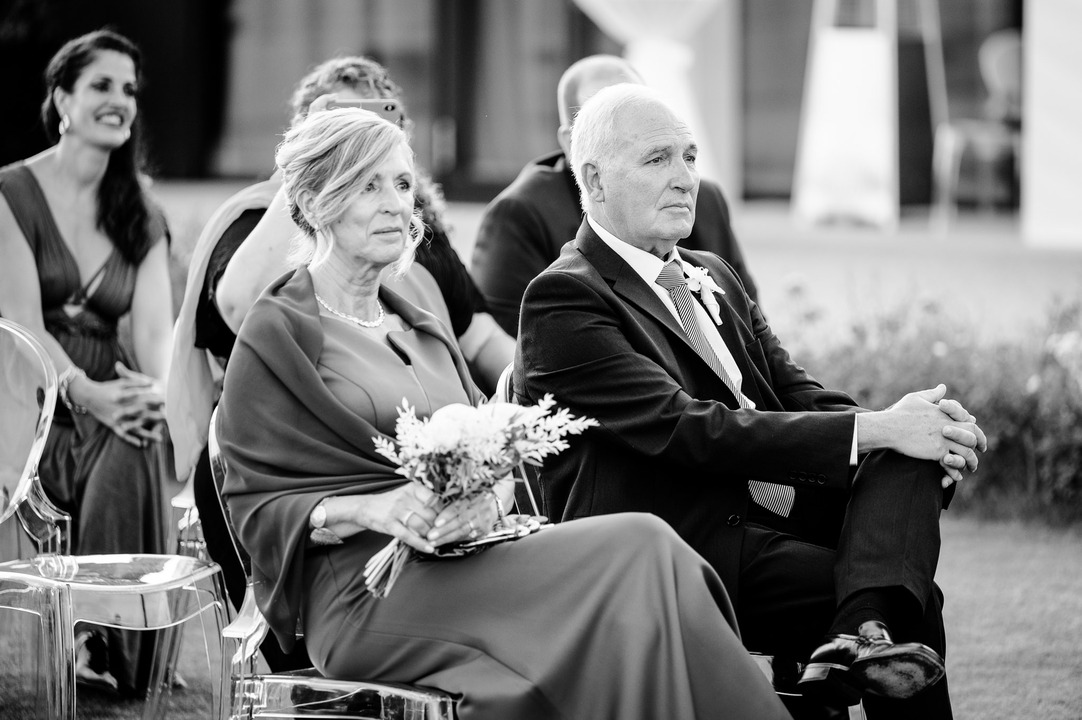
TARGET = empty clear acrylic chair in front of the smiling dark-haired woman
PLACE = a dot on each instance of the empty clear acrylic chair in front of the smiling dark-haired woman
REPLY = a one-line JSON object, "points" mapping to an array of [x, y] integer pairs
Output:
{"points": [[126, 592]]}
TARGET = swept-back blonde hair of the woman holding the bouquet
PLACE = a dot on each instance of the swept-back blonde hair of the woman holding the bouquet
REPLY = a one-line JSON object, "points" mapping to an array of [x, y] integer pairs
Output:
{"points": [[326, 160]]}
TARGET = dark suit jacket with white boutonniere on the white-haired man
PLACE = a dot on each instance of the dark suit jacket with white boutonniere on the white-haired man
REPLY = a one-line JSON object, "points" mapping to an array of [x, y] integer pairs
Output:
{"points": [[670, 443]]}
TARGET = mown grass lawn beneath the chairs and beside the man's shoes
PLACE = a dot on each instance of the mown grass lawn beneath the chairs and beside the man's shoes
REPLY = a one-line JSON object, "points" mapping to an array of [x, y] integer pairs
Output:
{"points": [[1014, 623]]}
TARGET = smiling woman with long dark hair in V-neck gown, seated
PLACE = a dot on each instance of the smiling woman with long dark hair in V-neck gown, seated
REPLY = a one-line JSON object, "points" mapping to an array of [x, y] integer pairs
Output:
{"points": [[83, 247]]}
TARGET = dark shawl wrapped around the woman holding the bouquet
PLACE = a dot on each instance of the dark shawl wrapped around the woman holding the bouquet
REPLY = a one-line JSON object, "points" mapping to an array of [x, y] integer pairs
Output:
{"points": [[288, 442]]}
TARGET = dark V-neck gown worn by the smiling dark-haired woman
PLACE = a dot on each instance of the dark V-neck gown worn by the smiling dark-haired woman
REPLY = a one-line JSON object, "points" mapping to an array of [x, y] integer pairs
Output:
{"points": [[112, 490]]}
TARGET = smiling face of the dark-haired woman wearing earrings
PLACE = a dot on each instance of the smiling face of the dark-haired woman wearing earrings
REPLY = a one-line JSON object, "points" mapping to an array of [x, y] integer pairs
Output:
{"points": [[102, 103]]}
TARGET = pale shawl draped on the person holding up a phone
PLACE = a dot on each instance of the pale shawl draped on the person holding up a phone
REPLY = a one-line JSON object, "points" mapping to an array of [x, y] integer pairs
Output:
{"points": [[192, 387]]}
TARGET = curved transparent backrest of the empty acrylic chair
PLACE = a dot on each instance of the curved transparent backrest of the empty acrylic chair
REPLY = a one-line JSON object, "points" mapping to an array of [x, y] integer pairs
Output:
{"points": [[28, 400]]}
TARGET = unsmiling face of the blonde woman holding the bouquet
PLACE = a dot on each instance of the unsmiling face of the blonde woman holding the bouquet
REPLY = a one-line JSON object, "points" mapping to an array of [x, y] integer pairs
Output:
{"points": [[375, 228]]}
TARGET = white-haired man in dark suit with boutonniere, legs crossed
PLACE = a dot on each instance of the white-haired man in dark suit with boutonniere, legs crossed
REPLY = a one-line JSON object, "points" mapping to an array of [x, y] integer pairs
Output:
{"points": [[822, 518]]}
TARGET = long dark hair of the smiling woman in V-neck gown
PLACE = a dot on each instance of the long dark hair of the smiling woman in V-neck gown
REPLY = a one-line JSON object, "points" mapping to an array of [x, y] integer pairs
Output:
{"points": [[123, 212]]}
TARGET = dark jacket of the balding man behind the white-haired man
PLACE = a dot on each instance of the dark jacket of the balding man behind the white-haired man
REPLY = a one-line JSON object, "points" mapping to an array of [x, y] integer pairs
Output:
{"points": [[524, 229]]}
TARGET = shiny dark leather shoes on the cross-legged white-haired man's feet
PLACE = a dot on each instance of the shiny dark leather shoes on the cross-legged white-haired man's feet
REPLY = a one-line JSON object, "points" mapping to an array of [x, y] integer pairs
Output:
{"points": [[847, 667]]}
